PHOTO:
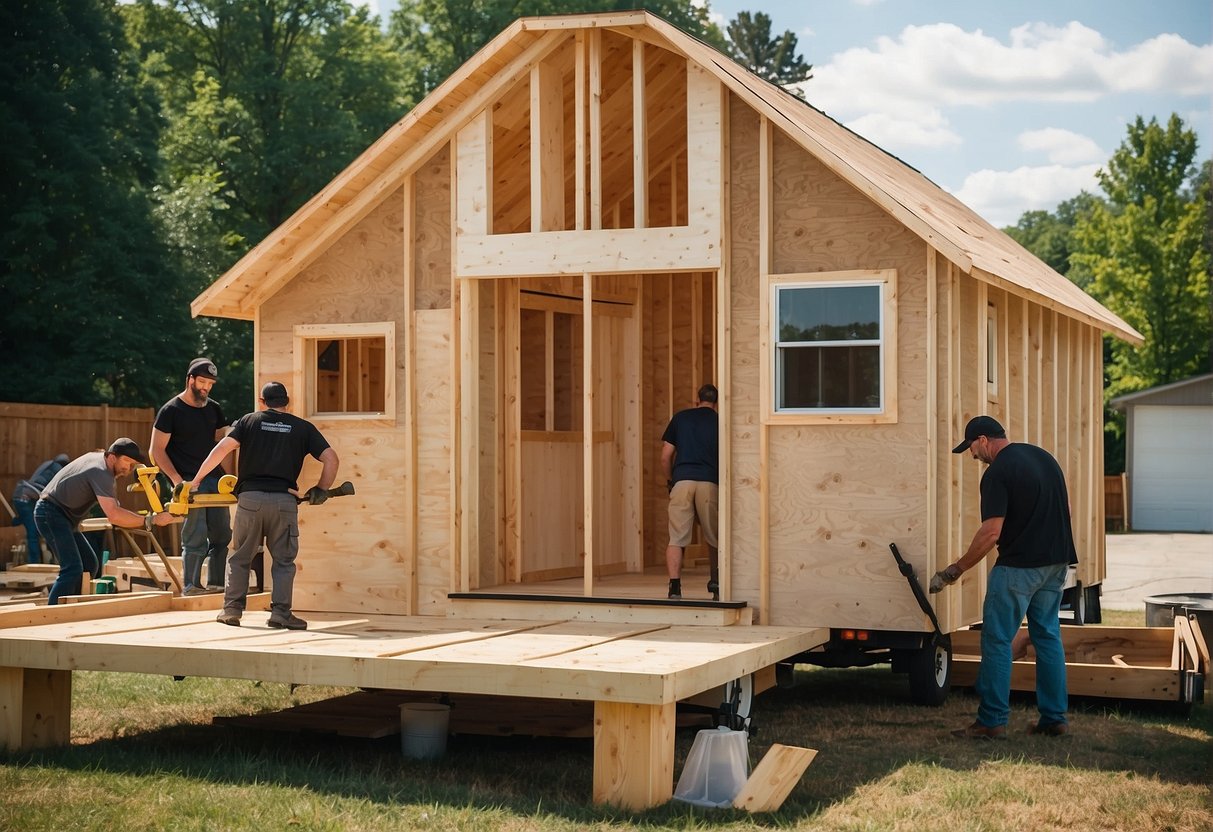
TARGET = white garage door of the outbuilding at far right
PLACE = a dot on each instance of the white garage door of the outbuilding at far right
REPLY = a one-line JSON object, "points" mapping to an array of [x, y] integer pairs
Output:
{"points": [[1172, 469]]}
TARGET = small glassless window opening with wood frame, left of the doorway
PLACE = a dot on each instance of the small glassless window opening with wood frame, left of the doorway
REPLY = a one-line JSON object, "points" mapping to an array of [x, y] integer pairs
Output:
{"points": [[348, 369]]}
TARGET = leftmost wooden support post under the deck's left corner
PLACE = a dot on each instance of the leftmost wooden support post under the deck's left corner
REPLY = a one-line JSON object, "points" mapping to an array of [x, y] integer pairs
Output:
{"points": [[36, 709]]}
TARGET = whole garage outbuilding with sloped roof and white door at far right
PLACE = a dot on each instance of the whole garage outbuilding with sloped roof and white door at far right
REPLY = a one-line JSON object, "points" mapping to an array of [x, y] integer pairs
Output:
{"points": [[1169, 455]]}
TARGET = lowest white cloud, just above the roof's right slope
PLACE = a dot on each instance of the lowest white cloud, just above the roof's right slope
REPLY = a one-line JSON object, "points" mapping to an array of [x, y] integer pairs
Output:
{"points": [[1001, 197]]}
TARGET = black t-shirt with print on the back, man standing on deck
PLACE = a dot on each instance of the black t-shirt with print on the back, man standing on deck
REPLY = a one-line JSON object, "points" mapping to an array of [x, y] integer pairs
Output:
{"points": [[274, 446]]}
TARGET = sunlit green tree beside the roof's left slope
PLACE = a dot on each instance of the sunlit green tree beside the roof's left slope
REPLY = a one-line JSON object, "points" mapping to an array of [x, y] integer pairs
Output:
{"points": [[266, 101]]}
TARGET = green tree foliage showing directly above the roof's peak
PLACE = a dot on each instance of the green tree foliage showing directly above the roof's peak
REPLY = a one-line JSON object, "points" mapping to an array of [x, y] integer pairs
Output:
{"points": [[438, 37]]}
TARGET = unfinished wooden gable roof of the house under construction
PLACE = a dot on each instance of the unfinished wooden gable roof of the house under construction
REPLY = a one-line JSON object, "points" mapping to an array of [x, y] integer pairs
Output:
{"points": [[969, 241]]}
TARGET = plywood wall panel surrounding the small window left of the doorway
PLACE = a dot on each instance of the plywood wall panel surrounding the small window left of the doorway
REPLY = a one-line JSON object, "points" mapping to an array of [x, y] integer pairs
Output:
{"points": [[352, 559]]}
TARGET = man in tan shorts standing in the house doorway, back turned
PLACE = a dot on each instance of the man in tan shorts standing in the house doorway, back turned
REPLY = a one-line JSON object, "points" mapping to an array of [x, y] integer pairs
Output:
{"points": [[690, 461]]}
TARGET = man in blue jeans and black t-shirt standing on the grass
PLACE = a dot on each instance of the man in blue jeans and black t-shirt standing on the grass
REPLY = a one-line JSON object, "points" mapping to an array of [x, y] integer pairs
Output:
{"points": [[1026, 510]]}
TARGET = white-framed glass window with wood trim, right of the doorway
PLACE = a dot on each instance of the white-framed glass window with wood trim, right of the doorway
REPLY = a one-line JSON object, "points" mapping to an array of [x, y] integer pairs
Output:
{"points": [[833, 344]]}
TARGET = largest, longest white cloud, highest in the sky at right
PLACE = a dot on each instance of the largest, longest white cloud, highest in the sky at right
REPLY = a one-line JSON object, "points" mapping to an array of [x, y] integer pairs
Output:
{"points": [[944, 66]]}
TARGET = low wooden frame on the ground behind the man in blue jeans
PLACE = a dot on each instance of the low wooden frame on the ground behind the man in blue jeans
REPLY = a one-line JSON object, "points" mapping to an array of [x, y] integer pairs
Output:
{"points": [[1112, 663]]}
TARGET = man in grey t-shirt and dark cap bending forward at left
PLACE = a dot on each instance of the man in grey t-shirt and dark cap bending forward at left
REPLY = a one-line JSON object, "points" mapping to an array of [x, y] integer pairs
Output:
{"points": [[67, 499]]}
